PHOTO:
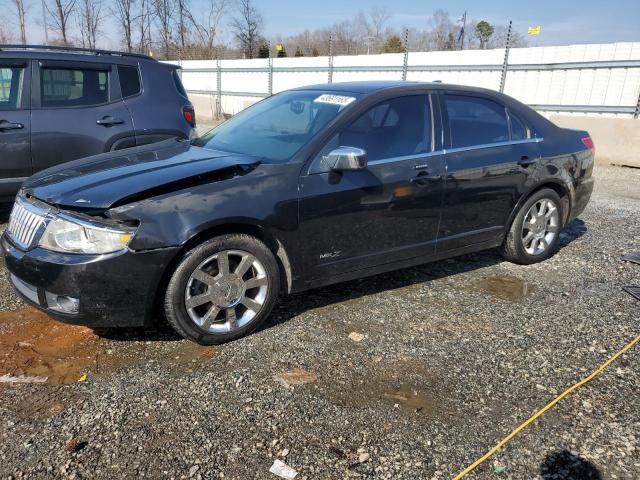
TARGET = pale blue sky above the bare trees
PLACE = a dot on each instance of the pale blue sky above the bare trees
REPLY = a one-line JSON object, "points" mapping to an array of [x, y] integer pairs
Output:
{"points": [[563, 22]]}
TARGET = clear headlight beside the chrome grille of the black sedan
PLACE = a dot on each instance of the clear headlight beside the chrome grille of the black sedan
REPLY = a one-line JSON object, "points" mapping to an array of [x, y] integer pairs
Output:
{"points": [[71, 236]]}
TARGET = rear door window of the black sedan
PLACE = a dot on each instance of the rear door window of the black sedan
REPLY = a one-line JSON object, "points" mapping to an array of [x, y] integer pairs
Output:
{"points": [[475, 121]]}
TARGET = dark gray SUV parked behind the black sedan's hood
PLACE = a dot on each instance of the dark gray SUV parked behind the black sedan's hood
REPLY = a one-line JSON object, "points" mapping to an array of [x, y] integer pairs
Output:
{"points": [[59, 104]]}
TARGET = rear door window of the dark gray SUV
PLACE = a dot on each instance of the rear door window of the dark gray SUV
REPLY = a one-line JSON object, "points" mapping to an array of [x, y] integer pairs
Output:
{"points": [[74, 87]]}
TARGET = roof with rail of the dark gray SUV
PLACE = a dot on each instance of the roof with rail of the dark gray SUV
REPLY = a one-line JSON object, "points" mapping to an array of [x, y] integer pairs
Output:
{"points": [[51, 52]]}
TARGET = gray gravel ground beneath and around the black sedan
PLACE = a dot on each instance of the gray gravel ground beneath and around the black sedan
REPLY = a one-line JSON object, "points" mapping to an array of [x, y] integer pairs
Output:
{"points": [[407, 375]]}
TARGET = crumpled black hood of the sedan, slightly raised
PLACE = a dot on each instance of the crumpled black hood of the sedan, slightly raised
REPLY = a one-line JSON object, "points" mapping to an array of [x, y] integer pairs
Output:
{"points": [[104, 180]]}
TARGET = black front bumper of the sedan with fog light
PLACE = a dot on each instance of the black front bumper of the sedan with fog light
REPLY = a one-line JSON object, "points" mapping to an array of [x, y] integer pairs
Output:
{"points": [[111, 290]]}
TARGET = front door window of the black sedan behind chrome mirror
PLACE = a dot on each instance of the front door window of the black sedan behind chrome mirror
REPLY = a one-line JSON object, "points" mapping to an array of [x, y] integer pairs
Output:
{"points": [[395, 128]]}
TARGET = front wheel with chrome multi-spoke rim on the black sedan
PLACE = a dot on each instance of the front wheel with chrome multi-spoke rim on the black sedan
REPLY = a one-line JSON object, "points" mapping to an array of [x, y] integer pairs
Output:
{"points": [[222, 289]]}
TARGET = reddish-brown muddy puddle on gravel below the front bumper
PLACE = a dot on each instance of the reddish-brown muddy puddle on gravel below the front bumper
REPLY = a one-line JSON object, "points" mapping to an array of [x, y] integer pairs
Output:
{"points": [[34, 347]]}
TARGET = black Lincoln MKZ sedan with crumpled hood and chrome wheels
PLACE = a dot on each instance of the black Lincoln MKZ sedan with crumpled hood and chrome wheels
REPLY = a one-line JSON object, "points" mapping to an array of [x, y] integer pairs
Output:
{"points": [[309, 187]]}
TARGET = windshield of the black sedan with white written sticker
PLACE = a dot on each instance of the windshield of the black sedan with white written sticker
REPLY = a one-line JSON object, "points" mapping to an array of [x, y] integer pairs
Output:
{"points": [[277, 127]]}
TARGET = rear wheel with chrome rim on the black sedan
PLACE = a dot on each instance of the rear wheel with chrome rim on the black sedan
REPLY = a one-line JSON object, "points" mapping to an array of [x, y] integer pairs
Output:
{"points": [[534, 235]]}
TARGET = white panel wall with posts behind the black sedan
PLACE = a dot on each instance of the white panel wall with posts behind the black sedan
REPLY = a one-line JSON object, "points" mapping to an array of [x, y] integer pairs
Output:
{"points": [[588, 87]]}
